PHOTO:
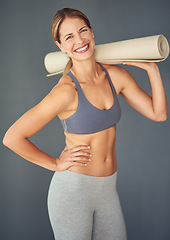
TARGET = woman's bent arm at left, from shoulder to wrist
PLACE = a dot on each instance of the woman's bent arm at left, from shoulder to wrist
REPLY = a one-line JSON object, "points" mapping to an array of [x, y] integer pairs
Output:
{"points": [[16, 138]]}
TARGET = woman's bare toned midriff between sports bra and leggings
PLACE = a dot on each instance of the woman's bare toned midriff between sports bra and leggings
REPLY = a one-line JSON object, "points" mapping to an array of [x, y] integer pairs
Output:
{"points": [[102, 148]]}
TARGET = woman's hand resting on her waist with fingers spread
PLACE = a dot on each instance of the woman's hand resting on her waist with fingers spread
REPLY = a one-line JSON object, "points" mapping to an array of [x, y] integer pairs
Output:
{"points": [[76, 156]]}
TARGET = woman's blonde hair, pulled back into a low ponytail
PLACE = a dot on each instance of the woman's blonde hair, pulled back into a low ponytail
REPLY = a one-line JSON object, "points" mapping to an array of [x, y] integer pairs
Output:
{"points": [[58, 19]]}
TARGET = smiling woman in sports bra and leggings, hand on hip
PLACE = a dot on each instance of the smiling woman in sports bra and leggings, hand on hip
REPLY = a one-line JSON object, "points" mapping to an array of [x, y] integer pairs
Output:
{"points": [[82, 200]]}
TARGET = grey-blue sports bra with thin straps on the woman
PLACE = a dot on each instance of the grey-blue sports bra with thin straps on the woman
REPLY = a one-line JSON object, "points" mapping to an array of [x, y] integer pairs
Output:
{"points": [[89, 119]]}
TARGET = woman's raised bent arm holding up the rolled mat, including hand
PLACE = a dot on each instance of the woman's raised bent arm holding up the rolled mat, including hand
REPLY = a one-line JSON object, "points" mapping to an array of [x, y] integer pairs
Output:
{"points": [[155, 107]]}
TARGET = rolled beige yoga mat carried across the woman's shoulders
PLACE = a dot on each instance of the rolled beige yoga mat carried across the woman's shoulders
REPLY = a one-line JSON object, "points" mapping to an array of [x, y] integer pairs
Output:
{"points": [[146, 49]]}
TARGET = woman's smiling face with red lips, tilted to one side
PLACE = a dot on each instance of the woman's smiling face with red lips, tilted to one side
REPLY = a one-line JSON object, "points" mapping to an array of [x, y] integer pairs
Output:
{"points": [[76, 39]]}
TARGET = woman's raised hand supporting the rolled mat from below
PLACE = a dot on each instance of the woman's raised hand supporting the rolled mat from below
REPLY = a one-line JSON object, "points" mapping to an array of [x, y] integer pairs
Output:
{"points": [[148, 66]]}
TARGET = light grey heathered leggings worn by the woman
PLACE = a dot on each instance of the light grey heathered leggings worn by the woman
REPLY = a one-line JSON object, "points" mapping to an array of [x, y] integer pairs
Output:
{"points": [[83, 207]]}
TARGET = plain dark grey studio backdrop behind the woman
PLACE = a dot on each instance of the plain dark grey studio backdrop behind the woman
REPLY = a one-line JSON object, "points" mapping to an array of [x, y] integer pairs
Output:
{"points": [[142, 145]]}
